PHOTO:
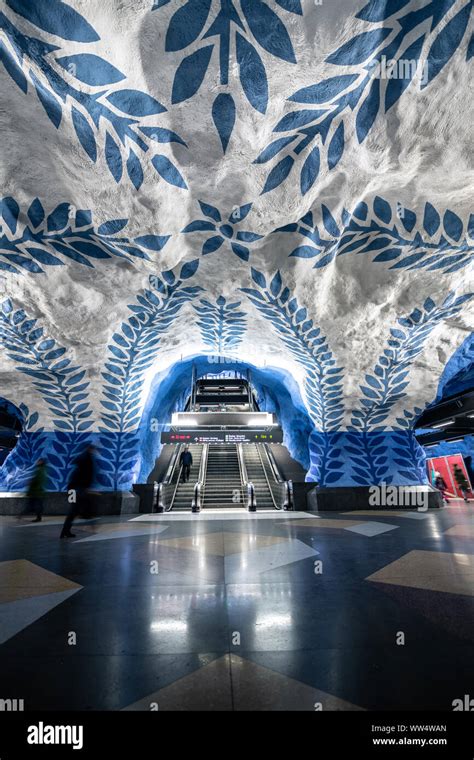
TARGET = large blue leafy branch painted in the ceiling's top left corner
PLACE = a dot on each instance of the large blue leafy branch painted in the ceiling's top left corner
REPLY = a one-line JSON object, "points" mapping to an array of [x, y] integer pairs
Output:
{"points": [[59, 82]]}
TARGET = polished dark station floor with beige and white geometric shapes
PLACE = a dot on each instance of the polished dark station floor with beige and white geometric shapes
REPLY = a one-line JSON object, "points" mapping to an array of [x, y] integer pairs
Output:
{"points": [[332, 611]]}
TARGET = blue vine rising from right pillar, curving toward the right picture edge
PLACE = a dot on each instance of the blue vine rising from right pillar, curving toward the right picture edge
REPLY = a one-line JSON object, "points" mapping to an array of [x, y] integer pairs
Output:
{"points": [[385, 387]]}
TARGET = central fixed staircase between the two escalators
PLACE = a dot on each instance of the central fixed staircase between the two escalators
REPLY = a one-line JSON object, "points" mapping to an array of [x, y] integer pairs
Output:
{"points": [[223, 485]]}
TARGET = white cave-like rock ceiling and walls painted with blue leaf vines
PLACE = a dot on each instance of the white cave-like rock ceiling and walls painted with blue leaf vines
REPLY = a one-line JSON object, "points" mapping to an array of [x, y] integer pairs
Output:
{"points": [[288, 181]]}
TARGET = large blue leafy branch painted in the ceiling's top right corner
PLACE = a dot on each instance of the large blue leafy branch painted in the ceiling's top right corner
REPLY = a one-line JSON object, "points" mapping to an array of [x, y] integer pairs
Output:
{"points": [[331, 102]]}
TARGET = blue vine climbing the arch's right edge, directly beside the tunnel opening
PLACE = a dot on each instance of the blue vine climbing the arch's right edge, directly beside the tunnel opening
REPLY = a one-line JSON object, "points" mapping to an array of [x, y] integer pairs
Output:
{"points": [[310, 349]]}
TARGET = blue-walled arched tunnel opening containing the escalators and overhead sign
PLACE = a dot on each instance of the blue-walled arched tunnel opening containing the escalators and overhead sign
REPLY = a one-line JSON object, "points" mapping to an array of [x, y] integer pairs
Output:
{"points": [[268, 419]]}
